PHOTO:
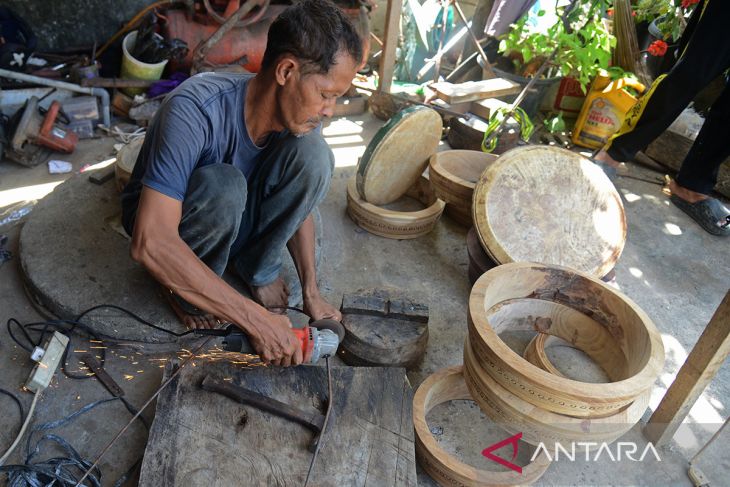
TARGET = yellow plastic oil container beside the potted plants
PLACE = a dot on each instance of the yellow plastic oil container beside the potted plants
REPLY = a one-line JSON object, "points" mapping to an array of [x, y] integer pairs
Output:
{"points": [[604, 110]]}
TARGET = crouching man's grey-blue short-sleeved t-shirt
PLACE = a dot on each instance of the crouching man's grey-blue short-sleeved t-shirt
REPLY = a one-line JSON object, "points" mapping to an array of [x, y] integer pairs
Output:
{"points": [[200, 123]]}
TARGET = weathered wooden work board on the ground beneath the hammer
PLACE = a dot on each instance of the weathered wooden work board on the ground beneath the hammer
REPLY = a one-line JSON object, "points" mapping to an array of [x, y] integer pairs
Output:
{"points": [[203, 438]]}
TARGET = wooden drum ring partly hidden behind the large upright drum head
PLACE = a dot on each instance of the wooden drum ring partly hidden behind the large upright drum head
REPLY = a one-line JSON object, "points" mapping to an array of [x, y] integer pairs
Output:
{"points": [[454, 174]]}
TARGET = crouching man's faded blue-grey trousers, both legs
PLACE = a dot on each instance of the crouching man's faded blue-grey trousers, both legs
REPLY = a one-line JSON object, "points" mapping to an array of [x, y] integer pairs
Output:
{"points": [[247, 223]]}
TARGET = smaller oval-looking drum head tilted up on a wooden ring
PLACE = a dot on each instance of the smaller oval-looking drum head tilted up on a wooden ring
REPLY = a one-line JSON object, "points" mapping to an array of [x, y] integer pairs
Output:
{"points": [[398, 154]]}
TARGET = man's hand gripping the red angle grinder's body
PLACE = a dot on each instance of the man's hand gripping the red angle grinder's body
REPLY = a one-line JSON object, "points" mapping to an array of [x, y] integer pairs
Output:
{"points": [[276, 343]]}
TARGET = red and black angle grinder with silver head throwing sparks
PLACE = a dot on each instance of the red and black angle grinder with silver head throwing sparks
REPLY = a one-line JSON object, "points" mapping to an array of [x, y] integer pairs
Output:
{"points": [[319, 339]]}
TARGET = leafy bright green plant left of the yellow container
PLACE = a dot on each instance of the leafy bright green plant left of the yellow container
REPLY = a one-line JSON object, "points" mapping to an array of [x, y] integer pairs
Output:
{"points": [[582, 44]]}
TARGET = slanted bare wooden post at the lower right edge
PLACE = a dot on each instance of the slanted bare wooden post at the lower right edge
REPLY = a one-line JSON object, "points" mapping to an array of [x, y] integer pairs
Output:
{"points": [[703, 362]]}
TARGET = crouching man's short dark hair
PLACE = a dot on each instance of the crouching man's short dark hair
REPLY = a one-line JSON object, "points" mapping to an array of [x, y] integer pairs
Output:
{"points": [[313, 31]]}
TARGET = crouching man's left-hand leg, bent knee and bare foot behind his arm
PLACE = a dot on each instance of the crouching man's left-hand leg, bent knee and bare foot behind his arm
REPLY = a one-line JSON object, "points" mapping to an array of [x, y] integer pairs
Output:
{"points": [[211, 217]]}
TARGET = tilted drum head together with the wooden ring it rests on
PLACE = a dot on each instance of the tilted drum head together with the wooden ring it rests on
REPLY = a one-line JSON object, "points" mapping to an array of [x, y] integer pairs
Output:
{"points": [[391, 167]]}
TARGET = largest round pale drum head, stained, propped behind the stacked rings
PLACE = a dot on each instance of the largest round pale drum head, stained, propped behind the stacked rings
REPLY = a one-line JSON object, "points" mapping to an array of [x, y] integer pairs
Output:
{"points": [[552, 206]]}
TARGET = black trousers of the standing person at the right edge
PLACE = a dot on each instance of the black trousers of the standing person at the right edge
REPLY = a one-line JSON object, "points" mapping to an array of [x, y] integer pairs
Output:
{"points": [[706, 55]]}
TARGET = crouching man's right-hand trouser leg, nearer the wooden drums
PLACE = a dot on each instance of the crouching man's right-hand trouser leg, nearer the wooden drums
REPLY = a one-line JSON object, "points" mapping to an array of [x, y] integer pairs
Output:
{"points": [[290, 180]]}
